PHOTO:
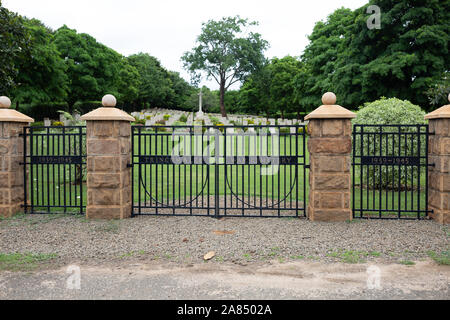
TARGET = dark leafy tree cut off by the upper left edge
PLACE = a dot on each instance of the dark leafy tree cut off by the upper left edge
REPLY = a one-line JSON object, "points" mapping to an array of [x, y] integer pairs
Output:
{"points": [[14, 47]]}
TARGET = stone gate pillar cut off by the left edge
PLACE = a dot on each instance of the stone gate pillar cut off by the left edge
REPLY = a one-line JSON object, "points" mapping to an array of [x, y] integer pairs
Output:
{"points": [[11, 155]]}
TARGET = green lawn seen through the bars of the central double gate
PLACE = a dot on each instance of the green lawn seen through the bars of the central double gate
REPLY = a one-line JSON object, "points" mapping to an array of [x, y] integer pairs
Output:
{"points": [[173, 182]]}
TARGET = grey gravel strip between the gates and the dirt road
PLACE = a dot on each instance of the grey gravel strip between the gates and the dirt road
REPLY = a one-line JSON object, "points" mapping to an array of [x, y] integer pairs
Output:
{"points": [[185, 240]]}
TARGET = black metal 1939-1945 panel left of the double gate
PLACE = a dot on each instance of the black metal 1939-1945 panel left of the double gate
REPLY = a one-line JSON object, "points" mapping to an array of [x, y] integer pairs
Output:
{"points": [[54, 158]]}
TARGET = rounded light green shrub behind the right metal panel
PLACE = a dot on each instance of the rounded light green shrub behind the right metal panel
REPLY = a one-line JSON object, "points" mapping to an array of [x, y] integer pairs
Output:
{"points": [[390, 111]]}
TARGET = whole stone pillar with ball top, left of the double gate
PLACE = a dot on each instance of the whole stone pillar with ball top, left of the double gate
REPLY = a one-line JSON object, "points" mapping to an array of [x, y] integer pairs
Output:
{"points": [[108, 144]]}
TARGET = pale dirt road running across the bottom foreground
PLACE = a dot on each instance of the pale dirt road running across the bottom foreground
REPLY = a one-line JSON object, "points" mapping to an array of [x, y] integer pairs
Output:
{"points": [[273, 280]]}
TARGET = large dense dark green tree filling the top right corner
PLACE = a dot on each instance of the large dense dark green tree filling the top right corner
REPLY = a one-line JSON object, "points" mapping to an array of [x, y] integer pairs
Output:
{"points": [[401, 59]]}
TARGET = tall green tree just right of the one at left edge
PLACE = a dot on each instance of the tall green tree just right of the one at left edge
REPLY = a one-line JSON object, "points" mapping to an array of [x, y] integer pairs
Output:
{"points": [[41, 77]]}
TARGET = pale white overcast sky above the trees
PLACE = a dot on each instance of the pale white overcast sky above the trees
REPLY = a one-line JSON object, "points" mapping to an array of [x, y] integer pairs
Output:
{"points": [[168, 28]]}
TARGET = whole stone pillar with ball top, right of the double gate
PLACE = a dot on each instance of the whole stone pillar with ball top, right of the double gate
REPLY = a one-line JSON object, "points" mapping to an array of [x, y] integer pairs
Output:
{"points": [[330, 146]]}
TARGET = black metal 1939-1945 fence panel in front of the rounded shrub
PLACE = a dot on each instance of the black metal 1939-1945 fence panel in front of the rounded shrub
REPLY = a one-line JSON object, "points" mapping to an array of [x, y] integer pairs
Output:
{"points": [[390, 171]]}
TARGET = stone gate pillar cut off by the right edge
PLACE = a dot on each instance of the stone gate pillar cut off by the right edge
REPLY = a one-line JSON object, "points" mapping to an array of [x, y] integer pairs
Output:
{"points": [[439, 155]]}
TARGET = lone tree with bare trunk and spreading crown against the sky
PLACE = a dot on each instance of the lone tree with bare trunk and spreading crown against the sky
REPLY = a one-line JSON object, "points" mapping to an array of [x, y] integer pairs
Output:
{"points": [[226, 53]]}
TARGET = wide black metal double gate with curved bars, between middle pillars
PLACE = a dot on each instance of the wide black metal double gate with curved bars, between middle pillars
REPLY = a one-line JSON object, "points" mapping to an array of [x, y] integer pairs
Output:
{"points": [[250, 171]]}
